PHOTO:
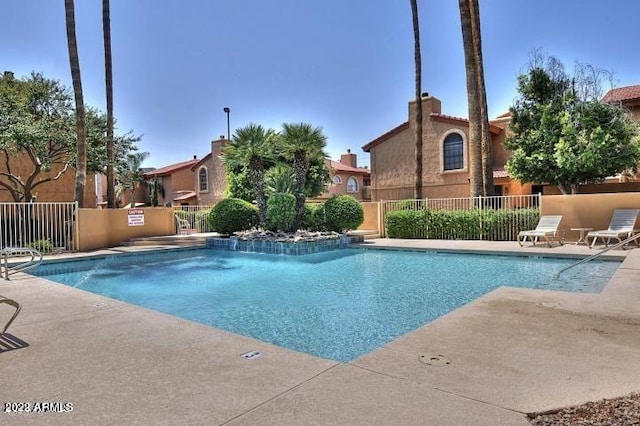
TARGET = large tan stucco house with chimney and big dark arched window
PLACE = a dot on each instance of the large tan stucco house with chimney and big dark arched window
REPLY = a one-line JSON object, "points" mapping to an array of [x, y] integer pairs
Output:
{"points": [[445, 157]]}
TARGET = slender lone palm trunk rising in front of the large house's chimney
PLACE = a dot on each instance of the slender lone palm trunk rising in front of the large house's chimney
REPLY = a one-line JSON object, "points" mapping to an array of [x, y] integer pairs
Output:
{"points": [[417, 135]]}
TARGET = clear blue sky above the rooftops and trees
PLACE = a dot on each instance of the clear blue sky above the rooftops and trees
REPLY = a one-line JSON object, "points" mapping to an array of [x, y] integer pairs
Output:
{"points": [[344, 65]]}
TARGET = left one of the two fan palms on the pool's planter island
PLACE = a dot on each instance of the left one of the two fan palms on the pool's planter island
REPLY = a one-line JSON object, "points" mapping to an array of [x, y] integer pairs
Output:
{"points": [[251, 148]]}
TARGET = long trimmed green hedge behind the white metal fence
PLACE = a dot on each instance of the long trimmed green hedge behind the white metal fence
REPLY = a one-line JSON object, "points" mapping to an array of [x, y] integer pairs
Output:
{"points": [[476, 224]]}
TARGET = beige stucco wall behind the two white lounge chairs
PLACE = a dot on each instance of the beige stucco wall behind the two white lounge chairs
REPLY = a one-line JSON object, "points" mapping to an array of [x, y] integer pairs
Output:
{"points": [[587, 210]]}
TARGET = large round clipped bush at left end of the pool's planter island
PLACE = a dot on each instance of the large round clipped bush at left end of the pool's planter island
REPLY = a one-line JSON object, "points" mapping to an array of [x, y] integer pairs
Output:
{"points": [[233, 214]]}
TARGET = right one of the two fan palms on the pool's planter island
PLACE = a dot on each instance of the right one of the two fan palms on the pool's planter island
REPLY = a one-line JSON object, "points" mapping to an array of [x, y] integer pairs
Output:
{"points": [[300, 143]]}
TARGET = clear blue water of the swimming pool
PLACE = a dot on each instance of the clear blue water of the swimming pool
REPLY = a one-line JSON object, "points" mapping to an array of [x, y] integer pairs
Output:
{"points": [[337, 305]]}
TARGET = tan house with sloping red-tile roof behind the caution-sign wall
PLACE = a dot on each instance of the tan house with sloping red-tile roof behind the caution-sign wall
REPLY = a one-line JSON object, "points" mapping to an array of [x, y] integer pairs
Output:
{"points": [[177, 181]]}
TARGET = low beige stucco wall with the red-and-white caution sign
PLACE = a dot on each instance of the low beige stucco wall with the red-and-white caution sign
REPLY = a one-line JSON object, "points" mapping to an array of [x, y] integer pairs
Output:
{"points": [[108, 228]]}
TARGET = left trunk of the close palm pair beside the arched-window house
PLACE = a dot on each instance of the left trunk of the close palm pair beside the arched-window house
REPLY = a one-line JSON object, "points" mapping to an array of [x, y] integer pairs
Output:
{"points": [[475, 129]]}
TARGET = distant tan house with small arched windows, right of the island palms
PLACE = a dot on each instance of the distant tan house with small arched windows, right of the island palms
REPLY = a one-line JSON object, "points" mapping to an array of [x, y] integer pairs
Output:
{"points": [[347, 178]]}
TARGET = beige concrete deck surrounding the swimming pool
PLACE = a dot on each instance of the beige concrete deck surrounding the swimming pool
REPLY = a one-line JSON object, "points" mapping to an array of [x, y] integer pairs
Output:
{"points": [[512, 351]]}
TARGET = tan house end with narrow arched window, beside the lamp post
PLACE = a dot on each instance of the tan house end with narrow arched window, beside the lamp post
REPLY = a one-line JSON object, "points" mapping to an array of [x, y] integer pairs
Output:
{"points": [[210, 180]]}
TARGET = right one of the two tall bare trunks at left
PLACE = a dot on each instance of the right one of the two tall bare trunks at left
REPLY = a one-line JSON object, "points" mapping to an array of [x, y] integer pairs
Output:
{"points": [[108, 74]]}
